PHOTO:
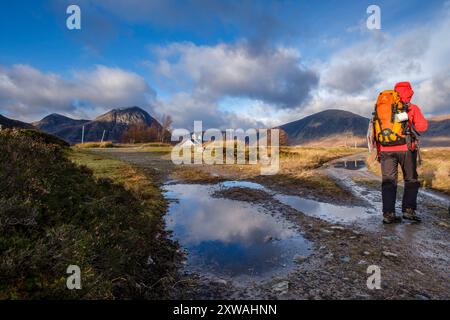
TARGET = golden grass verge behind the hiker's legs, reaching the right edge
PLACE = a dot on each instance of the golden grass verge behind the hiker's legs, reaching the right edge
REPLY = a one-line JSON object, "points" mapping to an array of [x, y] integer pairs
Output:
{"points": [[434, 173]]}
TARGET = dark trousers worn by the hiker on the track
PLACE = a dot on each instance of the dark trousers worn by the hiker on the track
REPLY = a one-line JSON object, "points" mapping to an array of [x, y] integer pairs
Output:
{"points": [[389, 168]]}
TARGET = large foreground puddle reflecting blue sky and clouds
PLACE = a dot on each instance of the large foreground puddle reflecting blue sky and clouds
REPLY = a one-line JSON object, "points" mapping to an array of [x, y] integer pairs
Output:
{"points": [[231, 239]]}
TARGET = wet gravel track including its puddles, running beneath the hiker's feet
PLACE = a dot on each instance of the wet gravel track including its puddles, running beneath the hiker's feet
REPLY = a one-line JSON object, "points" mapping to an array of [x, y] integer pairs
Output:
{"points": [[221, 227]]}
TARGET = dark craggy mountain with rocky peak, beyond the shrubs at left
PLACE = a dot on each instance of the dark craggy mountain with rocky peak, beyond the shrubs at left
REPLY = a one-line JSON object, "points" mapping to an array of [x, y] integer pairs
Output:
{"points": [[113, 123]]}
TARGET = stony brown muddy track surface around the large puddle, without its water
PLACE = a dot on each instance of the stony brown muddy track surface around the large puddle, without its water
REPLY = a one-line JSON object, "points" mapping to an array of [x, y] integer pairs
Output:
{"points": [[414, 259]]}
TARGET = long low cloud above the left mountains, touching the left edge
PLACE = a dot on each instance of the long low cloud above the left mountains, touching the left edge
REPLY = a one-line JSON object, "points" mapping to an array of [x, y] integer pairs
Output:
{"points": [[28, 93]]}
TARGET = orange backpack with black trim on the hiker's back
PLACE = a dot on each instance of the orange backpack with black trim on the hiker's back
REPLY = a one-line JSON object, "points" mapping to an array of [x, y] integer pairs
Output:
{"points": [[388, 131]]}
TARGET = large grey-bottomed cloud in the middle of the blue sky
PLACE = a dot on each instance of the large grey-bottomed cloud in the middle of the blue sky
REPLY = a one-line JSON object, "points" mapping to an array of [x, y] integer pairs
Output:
{"points": [[271, 75]]}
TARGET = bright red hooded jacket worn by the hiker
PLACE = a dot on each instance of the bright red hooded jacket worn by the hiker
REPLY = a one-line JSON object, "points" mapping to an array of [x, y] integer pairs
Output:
{"points": [[416, 118]]}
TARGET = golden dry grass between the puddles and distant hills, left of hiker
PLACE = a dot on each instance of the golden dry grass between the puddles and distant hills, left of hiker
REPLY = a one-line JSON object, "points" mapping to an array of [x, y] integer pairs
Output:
{"points": [[297, 173]]}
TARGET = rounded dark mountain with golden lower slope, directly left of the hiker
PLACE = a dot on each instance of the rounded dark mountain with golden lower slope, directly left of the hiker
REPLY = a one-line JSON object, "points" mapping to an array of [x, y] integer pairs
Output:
{"points": [[328, 128]]}
